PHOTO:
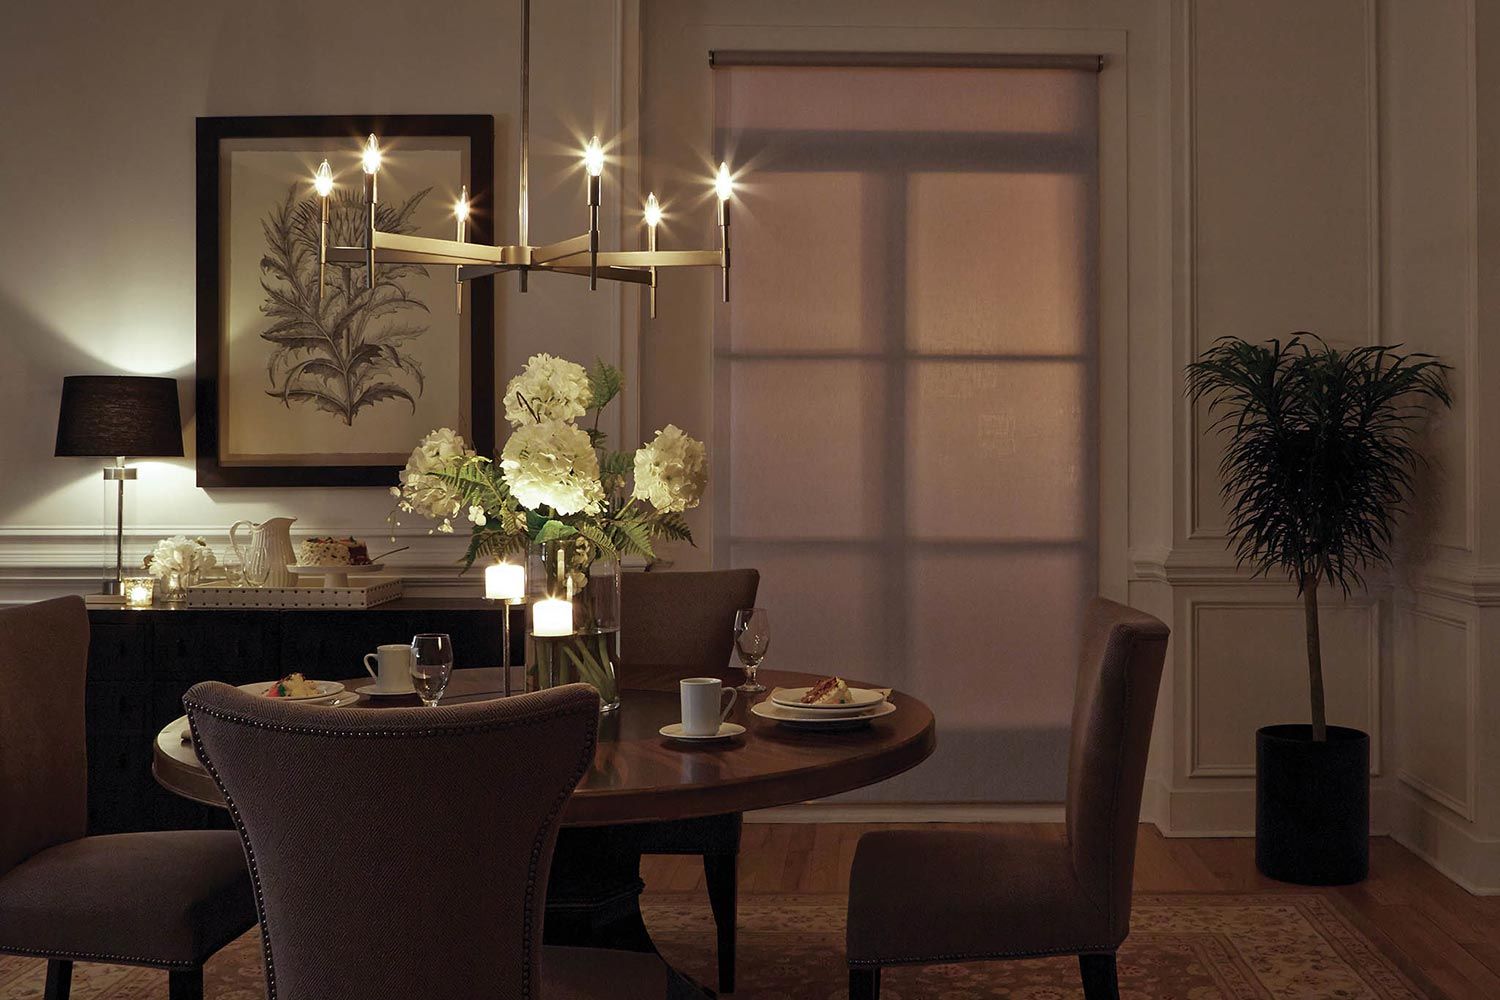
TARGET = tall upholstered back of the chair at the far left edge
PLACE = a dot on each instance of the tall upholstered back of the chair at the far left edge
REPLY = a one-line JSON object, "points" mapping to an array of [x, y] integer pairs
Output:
{"points": [[44, 768]]}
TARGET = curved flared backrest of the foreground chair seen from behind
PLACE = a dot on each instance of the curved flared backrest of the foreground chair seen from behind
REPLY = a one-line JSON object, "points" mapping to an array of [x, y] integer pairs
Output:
{"points": [[398, 852]]}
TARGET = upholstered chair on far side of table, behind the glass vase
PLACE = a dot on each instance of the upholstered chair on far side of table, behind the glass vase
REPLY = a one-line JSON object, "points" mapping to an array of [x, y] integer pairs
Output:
{"points": [[680, 626]]}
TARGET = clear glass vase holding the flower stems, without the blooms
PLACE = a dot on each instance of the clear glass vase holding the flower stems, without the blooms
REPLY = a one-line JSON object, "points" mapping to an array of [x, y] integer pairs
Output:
{"points": [[574, 570]]}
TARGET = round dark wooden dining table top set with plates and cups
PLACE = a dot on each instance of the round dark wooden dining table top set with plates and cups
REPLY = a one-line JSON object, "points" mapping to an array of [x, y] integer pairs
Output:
{"points": [[640, 776]]}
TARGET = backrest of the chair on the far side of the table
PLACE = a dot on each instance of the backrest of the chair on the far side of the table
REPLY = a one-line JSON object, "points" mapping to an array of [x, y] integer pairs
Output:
{"points": [[682, 624]]}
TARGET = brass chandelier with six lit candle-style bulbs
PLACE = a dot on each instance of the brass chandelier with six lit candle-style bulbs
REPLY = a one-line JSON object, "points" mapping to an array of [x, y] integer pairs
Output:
{"points": [[578, 256]]}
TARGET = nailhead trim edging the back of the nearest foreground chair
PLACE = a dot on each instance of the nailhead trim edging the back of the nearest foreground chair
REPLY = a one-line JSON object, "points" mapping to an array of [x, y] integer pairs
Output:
{"points": [[313, 731]]}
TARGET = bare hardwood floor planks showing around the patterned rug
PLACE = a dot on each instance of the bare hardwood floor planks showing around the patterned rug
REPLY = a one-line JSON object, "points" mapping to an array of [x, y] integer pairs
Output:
{"points": [[1408, 908]]}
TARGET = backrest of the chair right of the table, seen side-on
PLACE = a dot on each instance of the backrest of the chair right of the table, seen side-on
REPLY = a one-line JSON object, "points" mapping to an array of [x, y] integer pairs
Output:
{"points": [[1114, 707]]}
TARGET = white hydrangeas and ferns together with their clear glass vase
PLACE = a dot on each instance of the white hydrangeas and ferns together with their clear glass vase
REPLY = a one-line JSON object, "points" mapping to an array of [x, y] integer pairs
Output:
{"points": [[563, 494]]}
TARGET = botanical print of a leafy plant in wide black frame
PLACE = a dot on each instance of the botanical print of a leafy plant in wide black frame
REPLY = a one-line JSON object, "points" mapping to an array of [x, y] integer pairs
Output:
{"points": [[319, 376]]}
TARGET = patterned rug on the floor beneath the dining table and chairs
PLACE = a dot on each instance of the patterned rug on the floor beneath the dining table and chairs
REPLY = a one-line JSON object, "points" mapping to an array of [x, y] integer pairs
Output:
{"points": [[1192, 947]]}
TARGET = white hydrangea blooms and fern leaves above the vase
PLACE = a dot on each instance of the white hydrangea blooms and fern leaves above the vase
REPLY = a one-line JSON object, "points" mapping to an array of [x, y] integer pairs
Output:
{"points": [[557, 481]]}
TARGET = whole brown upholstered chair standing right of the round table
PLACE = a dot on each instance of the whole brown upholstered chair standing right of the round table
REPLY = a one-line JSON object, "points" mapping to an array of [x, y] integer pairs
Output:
{"points": [[926, 897]]}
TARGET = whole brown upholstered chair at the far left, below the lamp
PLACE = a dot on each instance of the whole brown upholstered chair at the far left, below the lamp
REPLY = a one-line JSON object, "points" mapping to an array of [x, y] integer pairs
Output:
{"points": [[169, 900]]}
